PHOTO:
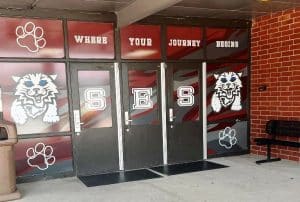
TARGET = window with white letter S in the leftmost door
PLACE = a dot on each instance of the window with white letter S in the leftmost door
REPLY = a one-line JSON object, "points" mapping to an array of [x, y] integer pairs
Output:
{"points": [[95, 99]]}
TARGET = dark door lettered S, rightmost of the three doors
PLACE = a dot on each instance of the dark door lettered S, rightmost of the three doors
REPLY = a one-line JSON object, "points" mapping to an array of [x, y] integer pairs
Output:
{"points": [[184, 114]]}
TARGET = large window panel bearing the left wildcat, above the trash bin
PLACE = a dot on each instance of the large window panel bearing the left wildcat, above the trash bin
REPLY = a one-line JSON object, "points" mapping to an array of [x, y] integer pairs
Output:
{"points": [[35, 97]]}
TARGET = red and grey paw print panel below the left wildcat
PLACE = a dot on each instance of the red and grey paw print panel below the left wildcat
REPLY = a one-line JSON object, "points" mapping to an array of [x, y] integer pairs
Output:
{"points": [[43, 156]]}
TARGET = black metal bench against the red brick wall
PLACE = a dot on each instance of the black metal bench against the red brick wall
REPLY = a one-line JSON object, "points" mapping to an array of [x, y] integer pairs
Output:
{"points": [[277, 128]]}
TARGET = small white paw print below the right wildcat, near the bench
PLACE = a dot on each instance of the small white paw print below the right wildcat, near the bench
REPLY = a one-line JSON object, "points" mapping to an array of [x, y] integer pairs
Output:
{"points": [[227, 137]]}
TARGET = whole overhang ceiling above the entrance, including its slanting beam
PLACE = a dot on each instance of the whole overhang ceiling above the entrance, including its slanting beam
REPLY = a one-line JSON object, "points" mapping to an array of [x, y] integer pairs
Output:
{"points": [[228, 9]]}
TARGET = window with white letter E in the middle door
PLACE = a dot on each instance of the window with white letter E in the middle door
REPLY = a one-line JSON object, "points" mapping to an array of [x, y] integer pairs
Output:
{"points": [[143, 93]]}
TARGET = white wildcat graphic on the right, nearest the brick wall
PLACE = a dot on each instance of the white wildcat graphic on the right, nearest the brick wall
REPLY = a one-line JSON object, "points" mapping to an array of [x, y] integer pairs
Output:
{"points": [[227, 91]]}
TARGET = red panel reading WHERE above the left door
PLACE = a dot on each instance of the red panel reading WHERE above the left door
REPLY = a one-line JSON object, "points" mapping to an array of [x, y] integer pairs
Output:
{"points": [[91, 40]]}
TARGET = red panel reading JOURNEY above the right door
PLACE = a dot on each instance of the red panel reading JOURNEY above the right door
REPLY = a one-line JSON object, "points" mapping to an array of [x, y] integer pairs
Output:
{"points": [[184, 42]]}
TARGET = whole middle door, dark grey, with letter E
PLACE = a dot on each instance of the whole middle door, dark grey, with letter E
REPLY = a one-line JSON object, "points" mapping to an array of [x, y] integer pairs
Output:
{"points": [[142, 119]]}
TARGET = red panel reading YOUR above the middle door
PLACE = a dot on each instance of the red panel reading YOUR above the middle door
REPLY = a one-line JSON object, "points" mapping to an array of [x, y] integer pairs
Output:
{"points": [[141, 42]]}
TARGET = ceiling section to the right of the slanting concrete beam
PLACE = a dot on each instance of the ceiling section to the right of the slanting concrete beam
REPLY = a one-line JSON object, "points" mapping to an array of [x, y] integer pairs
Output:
{"points": [[229, 9]]}
